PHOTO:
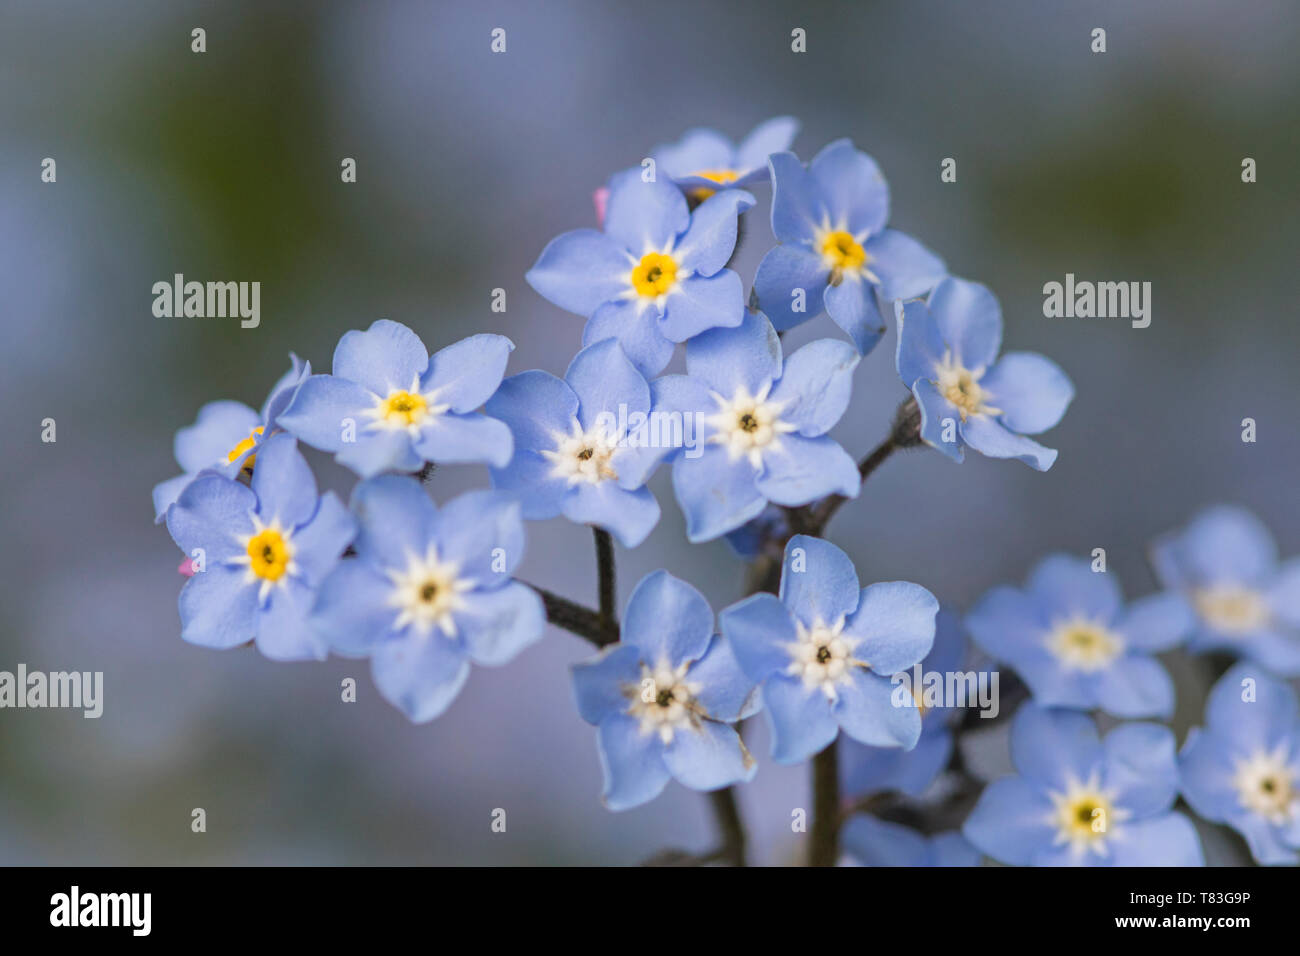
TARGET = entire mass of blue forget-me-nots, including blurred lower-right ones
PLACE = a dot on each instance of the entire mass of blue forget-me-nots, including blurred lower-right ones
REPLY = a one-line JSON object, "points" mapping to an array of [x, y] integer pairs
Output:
{"points": [[424, 590]]}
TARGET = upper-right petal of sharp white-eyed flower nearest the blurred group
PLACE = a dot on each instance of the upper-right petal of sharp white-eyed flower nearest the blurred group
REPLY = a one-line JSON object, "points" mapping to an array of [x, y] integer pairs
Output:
{"points": [[896, 625]]}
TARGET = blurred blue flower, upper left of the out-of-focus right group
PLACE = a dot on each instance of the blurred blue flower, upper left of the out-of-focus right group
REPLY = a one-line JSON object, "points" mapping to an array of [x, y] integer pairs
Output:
{"points": [[1076, 644]]}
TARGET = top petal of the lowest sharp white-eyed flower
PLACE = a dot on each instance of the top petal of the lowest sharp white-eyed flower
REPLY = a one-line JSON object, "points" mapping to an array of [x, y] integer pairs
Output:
{"points": [[669, 621]]}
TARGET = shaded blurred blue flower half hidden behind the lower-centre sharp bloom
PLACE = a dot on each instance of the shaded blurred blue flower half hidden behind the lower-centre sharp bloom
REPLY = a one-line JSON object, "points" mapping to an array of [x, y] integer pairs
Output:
{"points": [[866, 771]]}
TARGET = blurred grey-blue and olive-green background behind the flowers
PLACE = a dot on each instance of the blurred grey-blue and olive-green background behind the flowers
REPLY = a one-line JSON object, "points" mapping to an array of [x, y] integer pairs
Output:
{"points": [[226, 166]]}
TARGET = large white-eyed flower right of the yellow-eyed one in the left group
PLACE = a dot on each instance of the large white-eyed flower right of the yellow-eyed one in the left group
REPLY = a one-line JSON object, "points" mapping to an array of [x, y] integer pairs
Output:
{"points": [[430, 591]]}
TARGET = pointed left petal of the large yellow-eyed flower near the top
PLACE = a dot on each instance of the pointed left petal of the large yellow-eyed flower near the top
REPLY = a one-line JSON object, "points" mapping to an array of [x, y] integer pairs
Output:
{"points": [[582, 270]]}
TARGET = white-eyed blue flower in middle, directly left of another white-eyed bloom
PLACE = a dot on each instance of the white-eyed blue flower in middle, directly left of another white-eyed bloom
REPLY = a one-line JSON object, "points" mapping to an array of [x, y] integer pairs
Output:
{"points": [[586, 444]]}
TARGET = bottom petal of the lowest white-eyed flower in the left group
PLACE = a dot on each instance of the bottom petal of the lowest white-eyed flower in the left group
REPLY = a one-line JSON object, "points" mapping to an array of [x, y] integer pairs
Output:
{"points": [[421, 674]]}
